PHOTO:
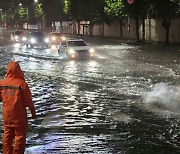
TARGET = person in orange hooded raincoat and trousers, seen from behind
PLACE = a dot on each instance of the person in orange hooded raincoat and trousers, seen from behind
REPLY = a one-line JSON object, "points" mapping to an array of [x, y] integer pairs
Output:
{"points": [[16, 96]]}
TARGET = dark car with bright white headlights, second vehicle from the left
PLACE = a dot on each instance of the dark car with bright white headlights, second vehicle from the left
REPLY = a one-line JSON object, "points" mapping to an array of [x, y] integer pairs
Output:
{"points": [[37, 39]]}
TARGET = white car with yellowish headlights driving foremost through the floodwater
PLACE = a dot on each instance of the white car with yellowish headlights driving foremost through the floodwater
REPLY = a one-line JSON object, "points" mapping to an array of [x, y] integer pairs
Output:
{"points": [[75, 49]]}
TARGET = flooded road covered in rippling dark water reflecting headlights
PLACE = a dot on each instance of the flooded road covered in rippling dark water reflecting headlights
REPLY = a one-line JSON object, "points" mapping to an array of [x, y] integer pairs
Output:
{"points": [[124, 101]]}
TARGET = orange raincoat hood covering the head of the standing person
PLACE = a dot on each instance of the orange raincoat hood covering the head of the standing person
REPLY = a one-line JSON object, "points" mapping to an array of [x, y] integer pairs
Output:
{"points": [[14, 71]]}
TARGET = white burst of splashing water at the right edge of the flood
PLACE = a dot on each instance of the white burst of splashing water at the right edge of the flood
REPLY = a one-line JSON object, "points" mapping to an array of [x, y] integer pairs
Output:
{"points": [[163, 95]]}
